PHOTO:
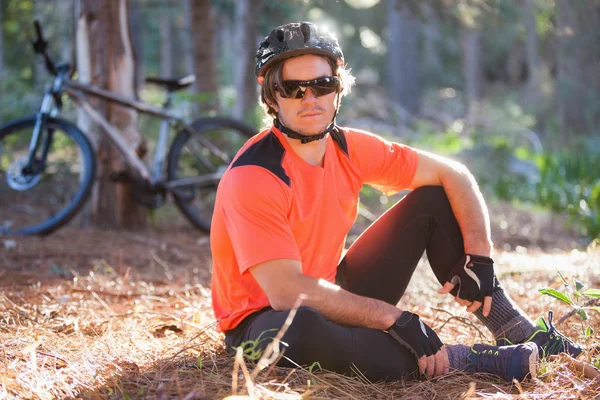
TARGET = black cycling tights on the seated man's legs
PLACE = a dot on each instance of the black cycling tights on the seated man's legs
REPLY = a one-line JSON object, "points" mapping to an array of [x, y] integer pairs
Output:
{"points": [[380, 265]]}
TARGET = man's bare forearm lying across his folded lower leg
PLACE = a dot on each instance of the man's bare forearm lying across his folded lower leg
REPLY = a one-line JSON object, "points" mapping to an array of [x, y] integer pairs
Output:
{"points": [[339, 305]]}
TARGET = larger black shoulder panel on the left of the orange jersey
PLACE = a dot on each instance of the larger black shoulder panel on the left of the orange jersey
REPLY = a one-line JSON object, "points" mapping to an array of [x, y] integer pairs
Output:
{"points": [[267, 153]]}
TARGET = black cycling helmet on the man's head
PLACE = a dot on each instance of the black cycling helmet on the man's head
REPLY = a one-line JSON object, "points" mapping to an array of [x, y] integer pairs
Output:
{"points": [[292, 40]]}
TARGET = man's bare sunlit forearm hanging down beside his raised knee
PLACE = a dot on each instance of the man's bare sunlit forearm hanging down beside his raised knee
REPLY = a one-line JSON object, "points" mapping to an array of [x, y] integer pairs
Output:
{"points": [[469, 208]]}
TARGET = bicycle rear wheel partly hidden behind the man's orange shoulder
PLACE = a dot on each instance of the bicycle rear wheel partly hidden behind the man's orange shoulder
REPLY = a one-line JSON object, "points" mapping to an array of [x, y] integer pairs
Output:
{"points": [[194, 169]]}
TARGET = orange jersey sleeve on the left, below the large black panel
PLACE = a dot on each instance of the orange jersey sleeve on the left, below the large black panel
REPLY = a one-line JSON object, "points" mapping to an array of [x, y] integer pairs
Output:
{"points": [[255, 212]]}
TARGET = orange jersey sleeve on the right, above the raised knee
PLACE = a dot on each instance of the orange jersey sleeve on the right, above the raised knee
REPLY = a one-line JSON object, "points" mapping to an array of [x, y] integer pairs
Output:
{"points": [[385, 165]]}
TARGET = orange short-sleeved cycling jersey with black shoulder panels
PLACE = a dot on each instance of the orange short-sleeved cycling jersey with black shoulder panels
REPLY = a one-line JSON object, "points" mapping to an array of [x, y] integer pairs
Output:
{"points": [[271, 204]]}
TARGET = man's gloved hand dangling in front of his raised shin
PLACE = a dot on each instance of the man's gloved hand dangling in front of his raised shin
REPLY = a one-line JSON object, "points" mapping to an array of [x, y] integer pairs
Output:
{"points": [[476, 282]]}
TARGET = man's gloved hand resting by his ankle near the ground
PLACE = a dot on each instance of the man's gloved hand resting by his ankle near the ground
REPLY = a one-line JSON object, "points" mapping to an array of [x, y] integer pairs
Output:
{"points": [[422, 342]]}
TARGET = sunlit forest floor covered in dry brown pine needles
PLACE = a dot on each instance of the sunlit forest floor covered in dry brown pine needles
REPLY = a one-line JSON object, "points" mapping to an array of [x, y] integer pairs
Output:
{"points": [[107, 314]]}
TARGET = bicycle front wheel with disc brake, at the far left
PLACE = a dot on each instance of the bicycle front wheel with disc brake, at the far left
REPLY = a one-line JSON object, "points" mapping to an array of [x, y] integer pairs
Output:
{"points": [[39, 202]]}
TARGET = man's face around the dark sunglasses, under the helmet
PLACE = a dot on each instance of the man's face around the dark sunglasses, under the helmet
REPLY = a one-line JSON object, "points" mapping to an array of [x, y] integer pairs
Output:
{"points": [[309, 115]]}
